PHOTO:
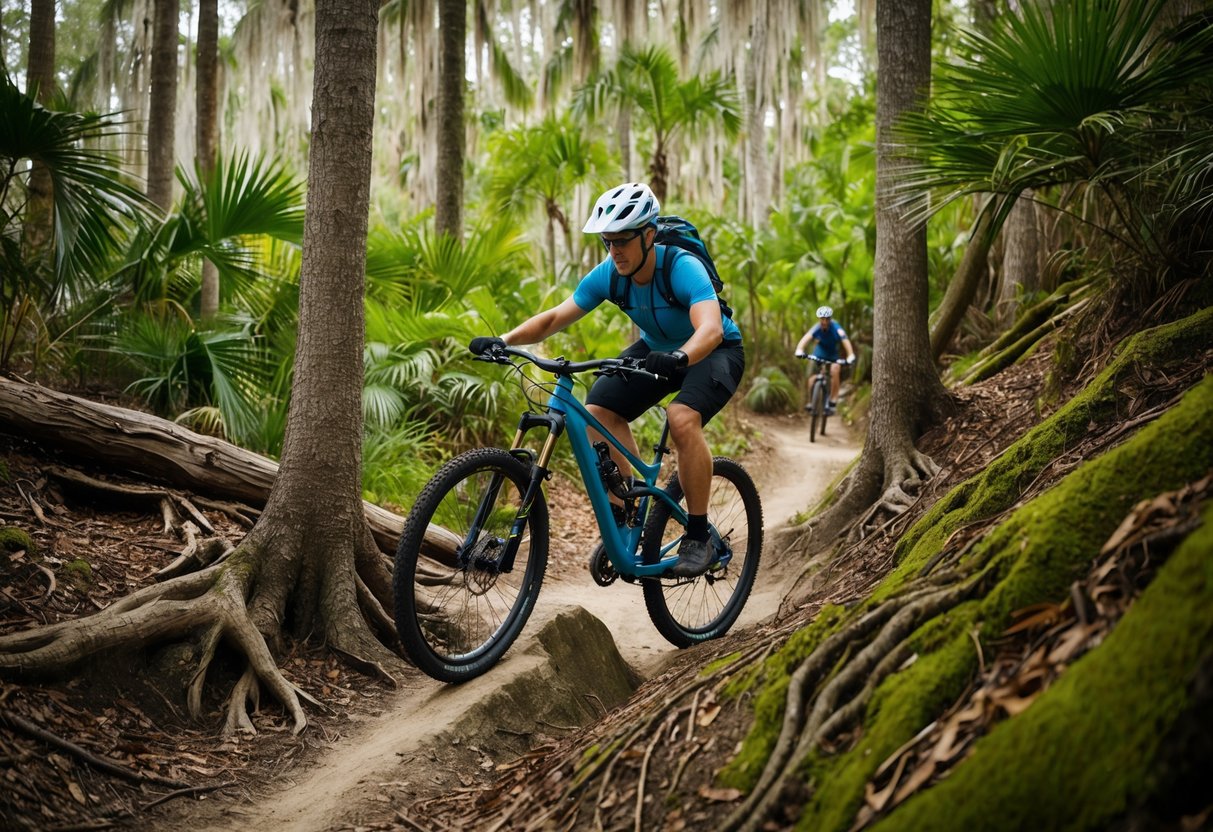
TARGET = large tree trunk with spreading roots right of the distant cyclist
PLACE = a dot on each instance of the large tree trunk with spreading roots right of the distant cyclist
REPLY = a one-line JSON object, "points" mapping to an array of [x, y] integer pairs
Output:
{"points": [[908, 396]]}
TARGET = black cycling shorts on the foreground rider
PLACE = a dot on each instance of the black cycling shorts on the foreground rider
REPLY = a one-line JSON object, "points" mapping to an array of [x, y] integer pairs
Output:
{"points": [[705, 387]]}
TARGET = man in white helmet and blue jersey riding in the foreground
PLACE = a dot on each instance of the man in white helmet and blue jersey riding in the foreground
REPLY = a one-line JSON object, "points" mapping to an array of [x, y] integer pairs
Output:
{"points": [[694, 349]]}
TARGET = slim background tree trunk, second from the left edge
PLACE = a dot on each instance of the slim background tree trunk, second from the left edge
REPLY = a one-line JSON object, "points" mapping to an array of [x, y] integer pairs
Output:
{"points": [[163, 106]]}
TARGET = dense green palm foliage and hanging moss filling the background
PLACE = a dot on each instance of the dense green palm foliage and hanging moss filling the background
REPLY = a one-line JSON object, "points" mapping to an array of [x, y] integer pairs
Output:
{"points": [[1097, 107]]}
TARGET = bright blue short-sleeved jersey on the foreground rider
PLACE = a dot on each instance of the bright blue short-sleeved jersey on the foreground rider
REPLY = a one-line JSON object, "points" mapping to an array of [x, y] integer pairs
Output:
{"points": [[663, 327]]}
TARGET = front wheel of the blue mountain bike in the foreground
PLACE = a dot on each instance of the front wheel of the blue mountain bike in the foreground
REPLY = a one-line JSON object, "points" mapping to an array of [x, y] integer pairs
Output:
{"points": [[459, 607]]}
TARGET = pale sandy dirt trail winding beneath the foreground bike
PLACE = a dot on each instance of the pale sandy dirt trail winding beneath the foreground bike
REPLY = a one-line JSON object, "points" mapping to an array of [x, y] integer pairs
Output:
{"points": [[790, 475]]}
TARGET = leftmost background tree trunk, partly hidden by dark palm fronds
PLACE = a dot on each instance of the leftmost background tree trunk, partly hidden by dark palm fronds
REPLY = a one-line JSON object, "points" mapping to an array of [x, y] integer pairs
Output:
{"points": [[38, 225]]}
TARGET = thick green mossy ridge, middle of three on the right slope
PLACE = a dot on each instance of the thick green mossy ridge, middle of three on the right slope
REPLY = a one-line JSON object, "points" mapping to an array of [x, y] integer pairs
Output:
{"points": [[1035, 556]]}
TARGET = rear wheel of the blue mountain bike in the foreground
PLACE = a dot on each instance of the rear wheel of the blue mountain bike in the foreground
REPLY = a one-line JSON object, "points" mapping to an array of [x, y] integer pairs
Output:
{"points": [[688, 612]]}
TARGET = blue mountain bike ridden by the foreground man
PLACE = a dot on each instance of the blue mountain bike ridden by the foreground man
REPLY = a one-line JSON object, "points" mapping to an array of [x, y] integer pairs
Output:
{"points": [[465, 591]]}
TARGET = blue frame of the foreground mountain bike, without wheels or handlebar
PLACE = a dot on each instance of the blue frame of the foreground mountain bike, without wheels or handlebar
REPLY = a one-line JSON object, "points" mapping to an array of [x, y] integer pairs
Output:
{"points": [[566, 413]]}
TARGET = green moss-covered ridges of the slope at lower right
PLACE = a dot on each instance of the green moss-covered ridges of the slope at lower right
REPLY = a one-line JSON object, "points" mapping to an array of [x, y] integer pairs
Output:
{"points": [[1033, 556]]}
